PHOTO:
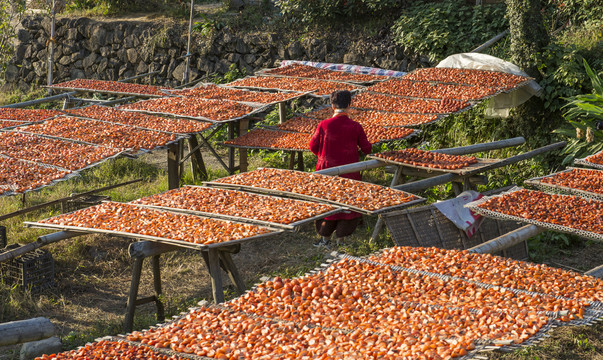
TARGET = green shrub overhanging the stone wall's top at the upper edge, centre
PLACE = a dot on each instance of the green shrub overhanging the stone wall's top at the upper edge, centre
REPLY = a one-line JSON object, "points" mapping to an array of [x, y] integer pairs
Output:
{"points": [[309, 11]]}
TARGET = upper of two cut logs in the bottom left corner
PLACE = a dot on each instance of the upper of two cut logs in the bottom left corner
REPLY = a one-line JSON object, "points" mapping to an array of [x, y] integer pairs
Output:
{"points": [[17, 332]]}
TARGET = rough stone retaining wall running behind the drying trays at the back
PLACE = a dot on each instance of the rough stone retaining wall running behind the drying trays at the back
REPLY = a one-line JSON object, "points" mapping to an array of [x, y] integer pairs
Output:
{"points": [[113, 50]]}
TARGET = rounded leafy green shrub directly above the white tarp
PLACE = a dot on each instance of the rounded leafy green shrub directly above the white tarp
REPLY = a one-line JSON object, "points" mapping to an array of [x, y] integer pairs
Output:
{"points": [[449, 27]]}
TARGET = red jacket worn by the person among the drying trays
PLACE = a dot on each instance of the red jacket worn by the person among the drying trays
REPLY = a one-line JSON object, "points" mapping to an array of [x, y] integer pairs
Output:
{"points": [[336, 142]]}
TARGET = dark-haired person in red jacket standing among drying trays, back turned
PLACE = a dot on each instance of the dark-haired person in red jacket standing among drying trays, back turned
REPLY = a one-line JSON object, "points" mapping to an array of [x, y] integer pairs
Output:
{"points": [[336, 142]]}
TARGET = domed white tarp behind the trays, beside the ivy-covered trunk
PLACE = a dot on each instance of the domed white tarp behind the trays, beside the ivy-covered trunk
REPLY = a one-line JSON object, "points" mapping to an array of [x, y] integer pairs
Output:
{"points": [[499, 105]]}
